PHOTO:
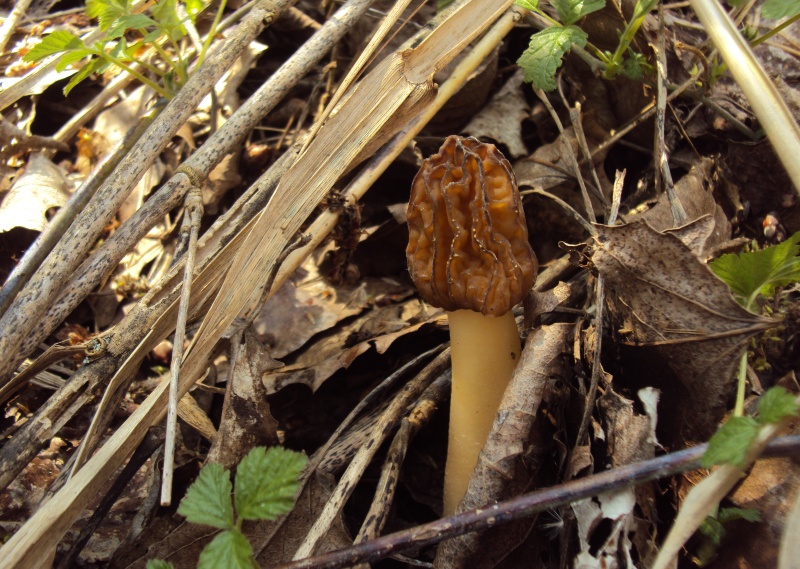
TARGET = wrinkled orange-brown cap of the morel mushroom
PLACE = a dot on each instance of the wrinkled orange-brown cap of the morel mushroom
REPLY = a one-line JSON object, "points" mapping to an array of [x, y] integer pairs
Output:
{"points": [[468, 241]]}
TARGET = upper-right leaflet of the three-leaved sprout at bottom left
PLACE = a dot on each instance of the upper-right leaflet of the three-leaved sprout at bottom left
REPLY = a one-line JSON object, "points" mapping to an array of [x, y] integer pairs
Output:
{"points": [[266, 482]]}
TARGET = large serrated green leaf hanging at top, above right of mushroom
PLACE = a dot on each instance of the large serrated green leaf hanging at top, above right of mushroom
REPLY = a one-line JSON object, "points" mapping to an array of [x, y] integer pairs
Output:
{"points": [[545, 53]]}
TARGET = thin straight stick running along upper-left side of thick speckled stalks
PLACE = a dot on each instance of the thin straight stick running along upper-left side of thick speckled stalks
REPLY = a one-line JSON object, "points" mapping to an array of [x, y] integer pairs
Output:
{"points": [[55, 229]]}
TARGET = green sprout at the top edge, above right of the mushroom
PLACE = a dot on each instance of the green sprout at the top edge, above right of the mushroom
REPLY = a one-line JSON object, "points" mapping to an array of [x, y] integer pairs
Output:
{"points": [[547, 47]]}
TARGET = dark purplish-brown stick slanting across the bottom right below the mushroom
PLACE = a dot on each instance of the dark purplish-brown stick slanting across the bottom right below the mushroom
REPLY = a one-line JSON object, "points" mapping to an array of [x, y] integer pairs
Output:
{"points": [[525, 506]]}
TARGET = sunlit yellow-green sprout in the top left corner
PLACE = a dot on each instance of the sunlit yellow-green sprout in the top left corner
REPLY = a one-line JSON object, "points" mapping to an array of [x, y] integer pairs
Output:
{"points": [[130, 38]]}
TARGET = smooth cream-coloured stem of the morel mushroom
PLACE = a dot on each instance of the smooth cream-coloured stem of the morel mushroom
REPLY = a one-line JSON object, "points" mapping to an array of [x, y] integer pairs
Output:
{"points": [[484, 353]]}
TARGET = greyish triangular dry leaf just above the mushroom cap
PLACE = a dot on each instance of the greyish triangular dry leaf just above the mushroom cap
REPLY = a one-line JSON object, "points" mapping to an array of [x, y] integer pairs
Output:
{"points": [[501, 120]]}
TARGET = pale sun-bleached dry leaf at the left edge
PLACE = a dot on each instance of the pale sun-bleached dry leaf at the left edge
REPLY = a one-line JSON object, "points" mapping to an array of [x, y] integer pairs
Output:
{"points": [[42, 187]]}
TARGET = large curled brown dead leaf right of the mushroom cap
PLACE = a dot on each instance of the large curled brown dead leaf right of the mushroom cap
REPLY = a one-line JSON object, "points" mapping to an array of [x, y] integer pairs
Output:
{"points": [[670, 305]]}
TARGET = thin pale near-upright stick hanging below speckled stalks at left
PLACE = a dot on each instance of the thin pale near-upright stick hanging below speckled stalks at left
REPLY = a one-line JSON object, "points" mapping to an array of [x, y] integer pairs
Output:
{"points": [[192, 216]]}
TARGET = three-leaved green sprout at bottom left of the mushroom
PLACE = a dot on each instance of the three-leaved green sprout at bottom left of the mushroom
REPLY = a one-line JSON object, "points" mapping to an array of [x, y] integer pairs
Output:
{"points": [[265, 488]]}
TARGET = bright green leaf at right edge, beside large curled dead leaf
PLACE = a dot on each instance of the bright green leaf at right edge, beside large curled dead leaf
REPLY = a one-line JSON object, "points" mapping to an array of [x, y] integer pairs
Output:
{"points": [[759, 272]]}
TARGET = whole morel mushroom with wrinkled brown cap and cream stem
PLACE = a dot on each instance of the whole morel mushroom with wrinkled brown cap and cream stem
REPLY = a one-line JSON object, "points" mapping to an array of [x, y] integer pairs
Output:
{"points": [[468, 253]]}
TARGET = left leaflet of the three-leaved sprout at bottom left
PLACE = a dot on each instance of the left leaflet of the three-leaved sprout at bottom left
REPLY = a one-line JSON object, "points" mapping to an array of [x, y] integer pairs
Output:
{"points": [[208, 500]]}
